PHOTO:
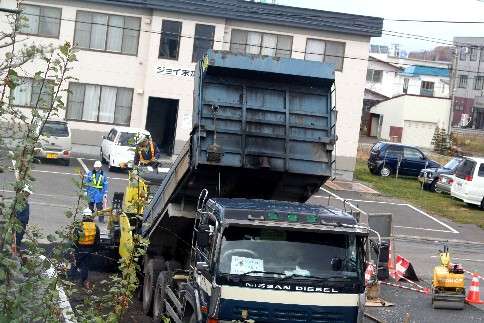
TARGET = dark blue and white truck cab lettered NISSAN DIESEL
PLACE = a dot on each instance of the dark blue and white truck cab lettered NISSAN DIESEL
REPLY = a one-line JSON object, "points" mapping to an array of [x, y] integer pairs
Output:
{"points": [[272, 261]]}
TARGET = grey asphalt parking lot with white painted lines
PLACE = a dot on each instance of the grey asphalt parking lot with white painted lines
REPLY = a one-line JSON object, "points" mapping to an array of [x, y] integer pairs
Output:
{"points": [[418, 236]]}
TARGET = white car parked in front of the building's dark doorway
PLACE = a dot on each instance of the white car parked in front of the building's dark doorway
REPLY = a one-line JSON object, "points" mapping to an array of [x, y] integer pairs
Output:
{"points": [[117, 148]]}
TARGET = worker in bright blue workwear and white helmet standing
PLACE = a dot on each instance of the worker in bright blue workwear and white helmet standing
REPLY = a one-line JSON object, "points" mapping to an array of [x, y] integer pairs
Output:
{"points": [[97, 188]]}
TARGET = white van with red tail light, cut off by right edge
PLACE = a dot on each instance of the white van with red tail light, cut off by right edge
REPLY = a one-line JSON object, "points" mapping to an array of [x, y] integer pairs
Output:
{"points": [[468, 183]]}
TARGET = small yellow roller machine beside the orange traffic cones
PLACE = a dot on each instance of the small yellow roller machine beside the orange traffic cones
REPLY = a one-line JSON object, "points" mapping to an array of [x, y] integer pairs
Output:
{"points": [[448, 289]]}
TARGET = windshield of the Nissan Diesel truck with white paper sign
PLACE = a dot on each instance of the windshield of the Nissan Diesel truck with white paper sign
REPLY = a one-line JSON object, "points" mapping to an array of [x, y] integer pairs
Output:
{"points": [[256, 251]]}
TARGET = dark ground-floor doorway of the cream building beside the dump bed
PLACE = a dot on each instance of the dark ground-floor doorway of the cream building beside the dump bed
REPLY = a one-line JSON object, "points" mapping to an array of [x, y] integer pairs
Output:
{"points": [[161, 122]]}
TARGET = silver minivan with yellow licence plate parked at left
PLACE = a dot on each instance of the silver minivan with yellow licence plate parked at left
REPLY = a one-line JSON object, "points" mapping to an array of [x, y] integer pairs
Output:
{"points": [[55, 141]]}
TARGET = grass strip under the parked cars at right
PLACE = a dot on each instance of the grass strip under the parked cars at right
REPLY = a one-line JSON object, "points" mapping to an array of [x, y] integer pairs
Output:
{"points": [[408, 189]]}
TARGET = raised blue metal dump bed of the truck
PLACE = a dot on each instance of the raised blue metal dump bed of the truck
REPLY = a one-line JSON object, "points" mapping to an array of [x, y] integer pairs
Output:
{"points": [[263, 127]]}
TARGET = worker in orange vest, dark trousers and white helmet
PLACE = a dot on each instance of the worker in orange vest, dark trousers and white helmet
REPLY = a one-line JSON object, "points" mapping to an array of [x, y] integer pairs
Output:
{"points": [[86, 244]]}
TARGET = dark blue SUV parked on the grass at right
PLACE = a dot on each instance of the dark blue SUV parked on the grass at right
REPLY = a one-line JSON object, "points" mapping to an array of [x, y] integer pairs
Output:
{"points": [[386, 157]]}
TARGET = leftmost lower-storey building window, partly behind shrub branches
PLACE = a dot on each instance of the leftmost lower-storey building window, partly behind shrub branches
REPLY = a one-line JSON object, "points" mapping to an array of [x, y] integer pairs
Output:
{"points": [[29, 91]]}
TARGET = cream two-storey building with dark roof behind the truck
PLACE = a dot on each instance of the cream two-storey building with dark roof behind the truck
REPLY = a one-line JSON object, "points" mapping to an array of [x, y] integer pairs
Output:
{"points": [[137, 59]]}
